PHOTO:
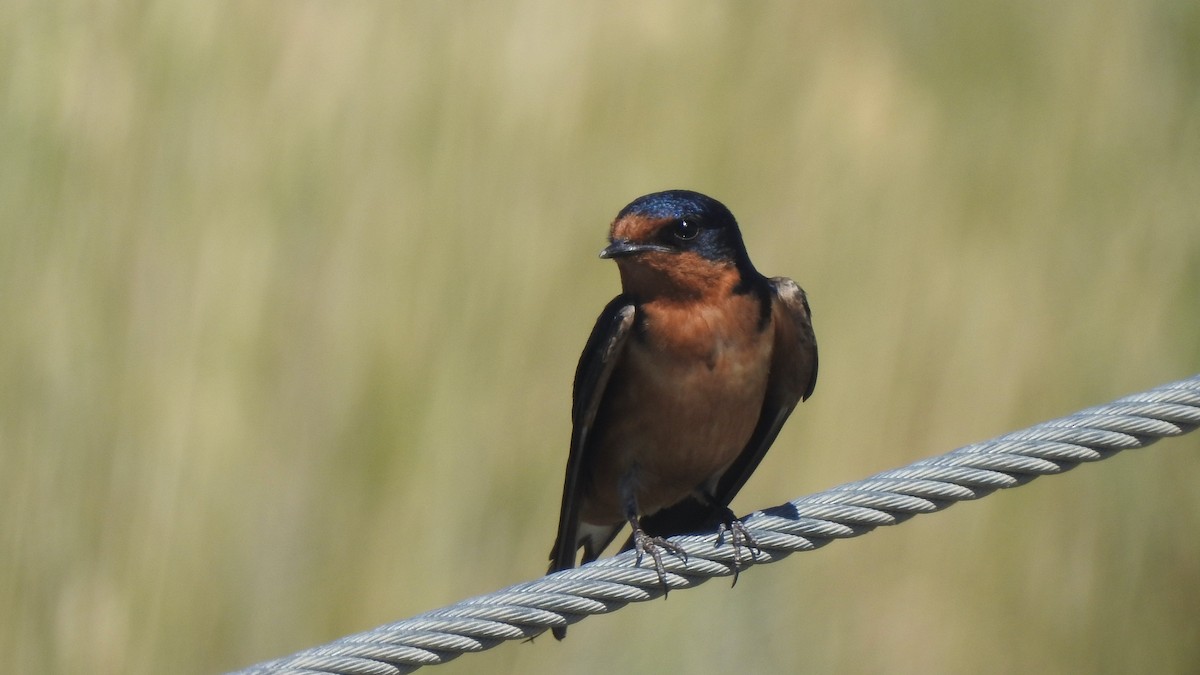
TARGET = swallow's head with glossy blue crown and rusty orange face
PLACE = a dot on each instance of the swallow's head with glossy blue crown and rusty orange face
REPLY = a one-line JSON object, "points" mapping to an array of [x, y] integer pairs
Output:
{"points": [[677, 243]]}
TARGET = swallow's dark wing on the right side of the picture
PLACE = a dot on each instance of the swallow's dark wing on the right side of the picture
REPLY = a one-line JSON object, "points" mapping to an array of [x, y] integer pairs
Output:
{"points": [[794, 374]]}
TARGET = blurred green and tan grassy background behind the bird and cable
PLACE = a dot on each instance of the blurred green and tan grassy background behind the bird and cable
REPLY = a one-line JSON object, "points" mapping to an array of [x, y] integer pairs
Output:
{"points": [[292, 296]]}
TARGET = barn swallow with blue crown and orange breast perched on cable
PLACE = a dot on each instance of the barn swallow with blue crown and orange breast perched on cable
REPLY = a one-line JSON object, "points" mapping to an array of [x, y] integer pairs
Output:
{"points": [[683, 385]]}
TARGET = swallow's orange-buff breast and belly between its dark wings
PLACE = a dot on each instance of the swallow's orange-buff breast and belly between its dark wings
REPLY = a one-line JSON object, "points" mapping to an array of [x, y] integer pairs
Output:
{"points": [[682, 404]]}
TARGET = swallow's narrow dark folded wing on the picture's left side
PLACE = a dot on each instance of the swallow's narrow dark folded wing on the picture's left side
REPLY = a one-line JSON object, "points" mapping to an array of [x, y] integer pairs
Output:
{"points": [[601, 356]]}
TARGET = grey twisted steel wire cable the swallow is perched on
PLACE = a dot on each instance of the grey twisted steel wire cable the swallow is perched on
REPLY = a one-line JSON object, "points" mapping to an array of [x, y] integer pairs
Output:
{"points": [[806, 524]]}
